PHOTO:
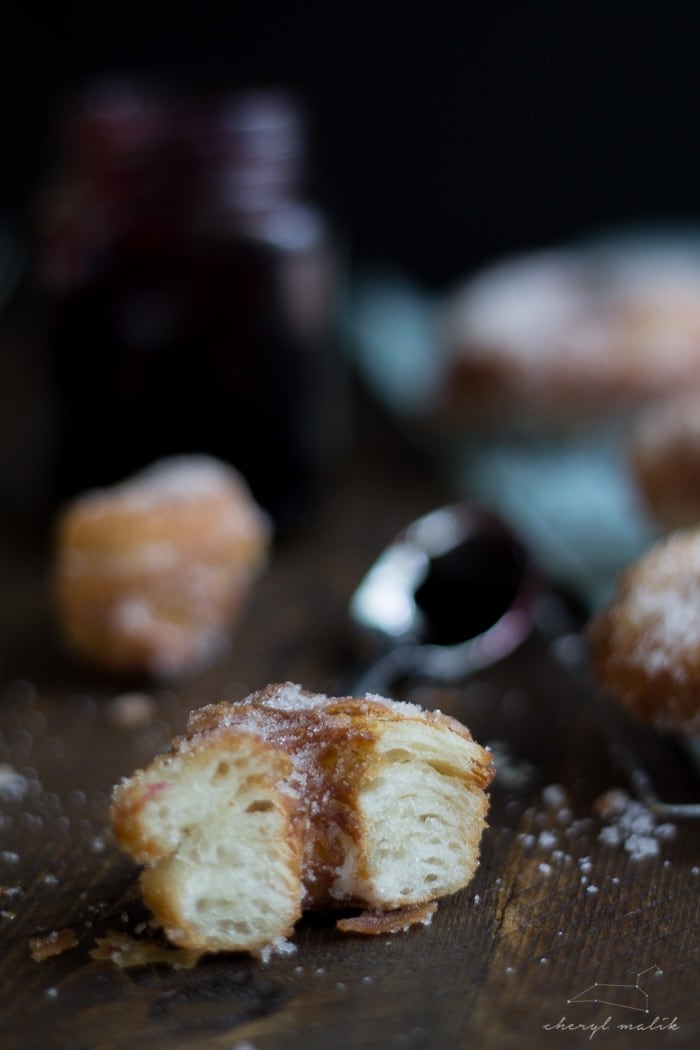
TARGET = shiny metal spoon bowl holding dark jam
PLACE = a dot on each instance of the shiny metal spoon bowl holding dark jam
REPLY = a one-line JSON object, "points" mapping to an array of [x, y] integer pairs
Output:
{"points": [[452, 595]]}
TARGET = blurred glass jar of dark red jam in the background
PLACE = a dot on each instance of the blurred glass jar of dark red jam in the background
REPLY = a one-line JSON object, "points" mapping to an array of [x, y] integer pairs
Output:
{"points": [[194, 293]]}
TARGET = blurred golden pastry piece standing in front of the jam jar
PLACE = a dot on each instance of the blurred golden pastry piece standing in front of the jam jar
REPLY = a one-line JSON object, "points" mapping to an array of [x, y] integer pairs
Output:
{"points": [[152, 574]]}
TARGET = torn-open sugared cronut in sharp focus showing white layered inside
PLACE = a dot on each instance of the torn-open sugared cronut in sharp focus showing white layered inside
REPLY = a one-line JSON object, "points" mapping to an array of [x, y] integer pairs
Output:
{"points": [[291, 801]]}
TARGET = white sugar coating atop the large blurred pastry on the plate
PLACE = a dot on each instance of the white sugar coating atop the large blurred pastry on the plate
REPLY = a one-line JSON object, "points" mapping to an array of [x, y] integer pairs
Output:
{"points": [[541, 304]]}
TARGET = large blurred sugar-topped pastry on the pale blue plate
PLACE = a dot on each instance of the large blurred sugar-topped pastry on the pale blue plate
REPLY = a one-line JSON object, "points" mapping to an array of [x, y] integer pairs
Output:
{"points": [[569, 337]]}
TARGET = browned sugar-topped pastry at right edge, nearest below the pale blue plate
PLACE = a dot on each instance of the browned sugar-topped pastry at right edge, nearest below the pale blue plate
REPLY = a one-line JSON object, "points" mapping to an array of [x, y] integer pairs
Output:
{"points": [[645, 645]]}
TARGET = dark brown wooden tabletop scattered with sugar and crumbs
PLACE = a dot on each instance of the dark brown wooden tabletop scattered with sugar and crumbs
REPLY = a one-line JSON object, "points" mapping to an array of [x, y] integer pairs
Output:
{"points": [[512, 961]]}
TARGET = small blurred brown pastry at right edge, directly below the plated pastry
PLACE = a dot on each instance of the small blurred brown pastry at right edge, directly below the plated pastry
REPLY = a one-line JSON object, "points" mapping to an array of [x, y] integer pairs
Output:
{"points": [[665, 459]]}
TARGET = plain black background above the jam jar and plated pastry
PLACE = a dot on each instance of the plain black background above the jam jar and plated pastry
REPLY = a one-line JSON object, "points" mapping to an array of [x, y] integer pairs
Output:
{"points": [[449, 135]]}
